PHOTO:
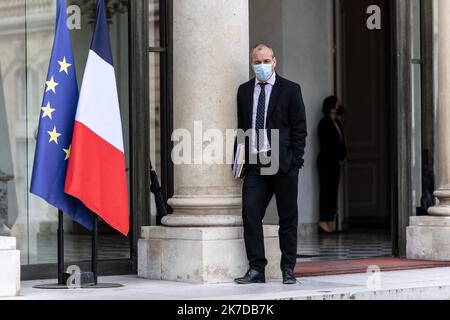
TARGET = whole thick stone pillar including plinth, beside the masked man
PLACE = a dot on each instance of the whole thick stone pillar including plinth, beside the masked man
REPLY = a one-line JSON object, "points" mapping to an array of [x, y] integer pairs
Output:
{"points": [[202, 241]]}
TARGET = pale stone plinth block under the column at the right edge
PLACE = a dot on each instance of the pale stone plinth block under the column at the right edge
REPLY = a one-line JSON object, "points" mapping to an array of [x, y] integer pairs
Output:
{"points": [[428, 238]]}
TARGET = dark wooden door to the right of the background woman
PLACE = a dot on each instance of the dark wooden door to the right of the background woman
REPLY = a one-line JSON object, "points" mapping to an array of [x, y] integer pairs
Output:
{"points": [[364, 85]]}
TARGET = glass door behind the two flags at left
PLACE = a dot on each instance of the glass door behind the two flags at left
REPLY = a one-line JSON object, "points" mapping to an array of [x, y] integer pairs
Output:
{"points": [[26, 38]]}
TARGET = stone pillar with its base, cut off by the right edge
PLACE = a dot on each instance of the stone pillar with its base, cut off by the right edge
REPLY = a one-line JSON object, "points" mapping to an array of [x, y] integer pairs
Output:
{"points": [[428, 237]]}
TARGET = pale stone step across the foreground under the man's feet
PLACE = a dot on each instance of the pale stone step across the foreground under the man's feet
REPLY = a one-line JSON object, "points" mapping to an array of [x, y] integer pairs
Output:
{"points": [[424, 284]]}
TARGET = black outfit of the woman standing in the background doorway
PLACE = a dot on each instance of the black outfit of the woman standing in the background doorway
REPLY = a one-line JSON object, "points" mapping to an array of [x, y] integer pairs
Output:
{"points": [[332, 151]]}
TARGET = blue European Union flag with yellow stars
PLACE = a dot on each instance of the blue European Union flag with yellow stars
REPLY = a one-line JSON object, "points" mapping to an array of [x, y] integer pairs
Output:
{"points": [[56, 124]]}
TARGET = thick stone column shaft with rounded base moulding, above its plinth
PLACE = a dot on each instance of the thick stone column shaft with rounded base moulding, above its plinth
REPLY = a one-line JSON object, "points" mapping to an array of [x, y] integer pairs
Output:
{"points": [[210, 58]]}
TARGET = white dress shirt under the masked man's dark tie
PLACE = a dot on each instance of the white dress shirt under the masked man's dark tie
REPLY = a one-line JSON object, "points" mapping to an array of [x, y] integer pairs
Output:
{"points": [[268, 90]]}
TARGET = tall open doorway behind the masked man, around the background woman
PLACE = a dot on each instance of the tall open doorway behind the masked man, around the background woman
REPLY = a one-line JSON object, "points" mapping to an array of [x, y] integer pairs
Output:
{"points": [[326, 47]]}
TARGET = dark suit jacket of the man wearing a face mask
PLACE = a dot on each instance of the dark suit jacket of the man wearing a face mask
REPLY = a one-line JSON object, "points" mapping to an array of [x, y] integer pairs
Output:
{"points": [[286, 112]]}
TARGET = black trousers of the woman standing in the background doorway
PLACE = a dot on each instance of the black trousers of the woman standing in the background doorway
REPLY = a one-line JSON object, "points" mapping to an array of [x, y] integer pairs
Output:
{"points": [[329, 174]]}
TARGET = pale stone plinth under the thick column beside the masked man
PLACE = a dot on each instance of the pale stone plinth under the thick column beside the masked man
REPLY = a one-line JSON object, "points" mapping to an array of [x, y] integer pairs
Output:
{"points": [[201, 255]]}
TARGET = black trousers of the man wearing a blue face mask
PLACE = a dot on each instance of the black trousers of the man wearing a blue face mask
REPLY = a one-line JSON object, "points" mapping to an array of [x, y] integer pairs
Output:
{"points": [[257, 191]]}
